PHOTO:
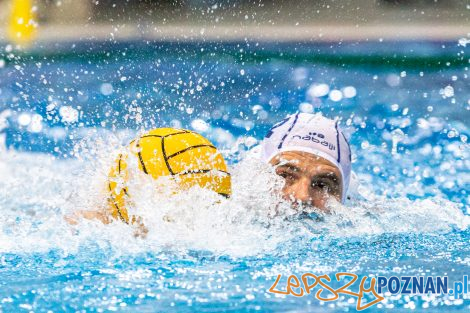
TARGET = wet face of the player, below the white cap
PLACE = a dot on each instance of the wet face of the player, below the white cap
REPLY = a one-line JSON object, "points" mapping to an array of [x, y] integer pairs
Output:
{"points": [[309, 180]]}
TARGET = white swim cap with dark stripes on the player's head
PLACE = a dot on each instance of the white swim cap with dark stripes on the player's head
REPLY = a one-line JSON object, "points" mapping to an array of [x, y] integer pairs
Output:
{"points": [[311, 133]]}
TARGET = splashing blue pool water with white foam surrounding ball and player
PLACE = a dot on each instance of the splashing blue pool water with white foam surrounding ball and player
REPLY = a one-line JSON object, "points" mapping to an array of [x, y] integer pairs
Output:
{"points": [[65, 110]]}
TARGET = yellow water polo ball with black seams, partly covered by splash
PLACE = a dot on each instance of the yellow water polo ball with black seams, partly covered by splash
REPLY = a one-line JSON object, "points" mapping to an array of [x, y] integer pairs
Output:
{"points": [[178, 153]]}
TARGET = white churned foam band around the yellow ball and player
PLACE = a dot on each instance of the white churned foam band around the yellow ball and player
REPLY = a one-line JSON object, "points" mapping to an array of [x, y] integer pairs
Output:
{"points": [[37, 191]]}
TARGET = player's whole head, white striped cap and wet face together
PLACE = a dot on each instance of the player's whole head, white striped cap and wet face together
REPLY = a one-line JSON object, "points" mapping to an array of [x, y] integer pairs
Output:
{"points": [[313, 156]]}
